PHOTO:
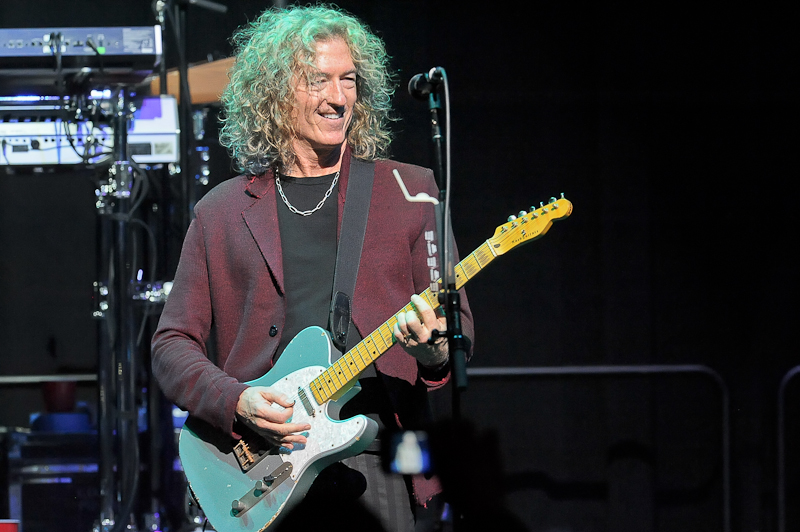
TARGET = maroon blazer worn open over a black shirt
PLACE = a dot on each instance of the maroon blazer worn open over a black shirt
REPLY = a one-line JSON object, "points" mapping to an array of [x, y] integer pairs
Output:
{"points": [[230, 281]]}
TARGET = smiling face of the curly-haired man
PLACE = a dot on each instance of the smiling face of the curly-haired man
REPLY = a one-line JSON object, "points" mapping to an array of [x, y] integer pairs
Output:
{"points": [[323, 108]]}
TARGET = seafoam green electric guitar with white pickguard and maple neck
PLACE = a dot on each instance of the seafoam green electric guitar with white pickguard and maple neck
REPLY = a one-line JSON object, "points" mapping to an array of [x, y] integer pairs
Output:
{"points": [[246, 485]]}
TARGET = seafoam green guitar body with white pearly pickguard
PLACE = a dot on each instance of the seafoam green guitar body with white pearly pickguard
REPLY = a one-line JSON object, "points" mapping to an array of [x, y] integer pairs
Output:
{"points": [[217, 478]]}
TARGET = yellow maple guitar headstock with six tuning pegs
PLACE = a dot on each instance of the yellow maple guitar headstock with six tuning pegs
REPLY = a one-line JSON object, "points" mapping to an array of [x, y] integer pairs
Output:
{"points": [[528, 226]]}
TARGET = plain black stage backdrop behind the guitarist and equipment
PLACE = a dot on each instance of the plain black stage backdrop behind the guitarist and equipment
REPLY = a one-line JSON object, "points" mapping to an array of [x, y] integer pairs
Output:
{"points": [[672, 129]]}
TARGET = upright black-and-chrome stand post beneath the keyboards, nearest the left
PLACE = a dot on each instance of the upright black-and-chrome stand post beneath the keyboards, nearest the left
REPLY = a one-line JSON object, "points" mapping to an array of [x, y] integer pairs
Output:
{"points": [[117, 368]]}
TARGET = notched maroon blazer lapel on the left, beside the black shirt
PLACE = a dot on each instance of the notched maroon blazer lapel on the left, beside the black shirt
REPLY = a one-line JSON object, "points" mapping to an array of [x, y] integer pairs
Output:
{"points": [[261, 218]]}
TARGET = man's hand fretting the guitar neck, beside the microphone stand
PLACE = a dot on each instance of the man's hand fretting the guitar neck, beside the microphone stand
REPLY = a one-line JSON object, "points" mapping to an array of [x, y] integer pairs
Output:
{"points": [[413, 330]]}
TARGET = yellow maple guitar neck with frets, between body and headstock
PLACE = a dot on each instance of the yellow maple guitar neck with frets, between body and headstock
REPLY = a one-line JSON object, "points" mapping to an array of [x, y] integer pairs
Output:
{"points": [[343, 373]]}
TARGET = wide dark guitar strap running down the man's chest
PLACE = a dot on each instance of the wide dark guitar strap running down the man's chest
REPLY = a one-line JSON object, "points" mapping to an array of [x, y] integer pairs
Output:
{"points": [[348, 254]]}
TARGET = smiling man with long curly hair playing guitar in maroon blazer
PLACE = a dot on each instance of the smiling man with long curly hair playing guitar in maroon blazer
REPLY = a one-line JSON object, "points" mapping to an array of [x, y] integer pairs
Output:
{"points": [[308, 98]]}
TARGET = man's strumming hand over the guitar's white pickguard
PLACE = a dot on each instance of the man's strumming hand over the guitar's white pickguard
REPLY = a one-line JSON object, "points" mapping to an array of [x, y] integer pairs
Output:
{"points": [[266, 412]]}
